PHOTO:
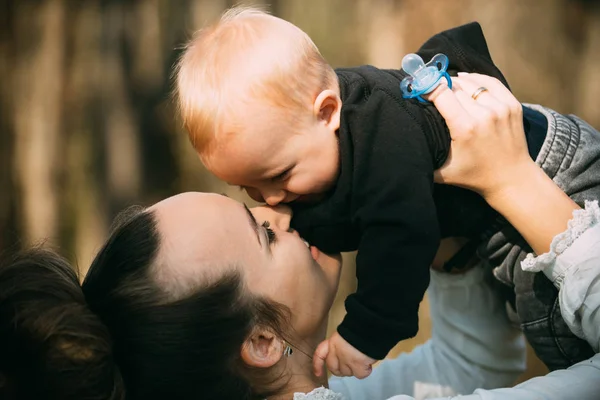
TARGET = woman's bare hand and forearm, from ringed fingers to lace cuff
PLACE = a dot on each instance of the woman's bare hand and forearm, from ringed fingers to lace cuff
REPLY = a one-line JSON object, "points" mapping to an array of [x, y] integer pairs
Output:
{"points": [[497, 164]]}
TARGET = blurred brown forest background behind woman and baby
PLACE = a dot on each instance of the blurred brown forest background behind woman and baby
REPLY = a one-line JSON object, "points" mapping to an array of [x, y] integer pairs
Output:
{"points": [[87, 126]]}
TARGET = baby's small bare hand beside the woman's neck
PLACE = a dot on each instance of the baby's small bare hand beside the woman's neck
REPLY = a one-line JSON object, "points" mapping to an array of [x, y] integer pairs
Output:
{"points": [[342, 358]]}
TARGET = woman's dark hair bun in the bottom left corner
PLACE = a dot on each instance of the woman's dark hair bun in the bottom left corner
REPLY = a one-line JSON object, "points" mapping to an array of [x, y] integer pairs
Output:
{"points": [[51, 344]]}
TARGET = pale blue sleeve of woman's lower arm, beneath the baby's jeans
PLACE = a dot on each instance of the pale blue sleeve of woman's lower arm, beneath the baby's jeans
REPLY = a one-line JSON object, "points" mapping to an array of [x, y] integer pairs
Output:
{"points": [[462, 355]]}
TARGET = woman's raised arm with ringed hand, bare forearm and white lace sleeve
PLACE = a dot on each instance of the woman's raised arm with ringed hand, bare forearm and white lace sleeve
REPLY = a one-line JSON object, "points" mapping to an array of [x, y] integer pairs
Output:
{"points": [[512, 183]]}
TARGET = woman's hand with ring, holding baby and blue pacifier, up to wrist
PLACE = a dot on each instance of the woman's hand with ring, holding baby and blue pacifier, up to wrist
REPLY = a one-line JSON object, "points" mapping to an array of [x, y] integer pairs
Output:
{"points": [[489, 150]]}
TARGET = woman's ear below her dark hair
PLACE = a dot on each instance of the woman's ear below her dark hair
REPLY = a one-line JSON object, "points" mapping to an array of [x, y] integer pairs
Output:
{"points": [[262, 349]]}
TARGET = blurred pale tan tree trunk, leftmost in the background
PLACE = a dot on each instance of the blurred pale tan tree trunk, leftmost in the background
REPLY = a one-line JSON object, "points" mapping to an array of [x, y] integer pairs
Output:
{"points": [[37, 100]]}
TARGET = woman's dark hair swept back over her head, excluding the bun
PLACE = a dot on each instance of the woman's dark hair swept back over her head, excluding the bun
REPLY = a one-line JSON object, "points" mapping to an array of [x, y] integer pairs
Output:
{"points": [[168, 347]]}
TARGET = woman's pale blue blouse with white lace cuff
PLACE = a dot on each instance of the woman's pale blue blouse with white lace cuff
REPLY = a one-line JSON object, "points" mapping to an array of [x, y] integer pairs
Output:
{"points": [[474, 345]]}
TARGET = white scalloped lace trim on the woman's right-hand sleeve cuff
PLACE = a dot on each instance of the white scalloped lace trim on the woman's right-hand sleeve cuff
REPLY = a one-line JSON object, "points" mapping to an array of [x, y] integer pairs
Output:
{"points": [[582, 221]]}
